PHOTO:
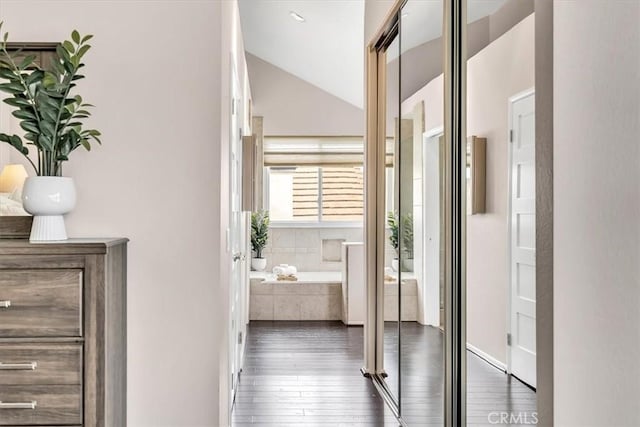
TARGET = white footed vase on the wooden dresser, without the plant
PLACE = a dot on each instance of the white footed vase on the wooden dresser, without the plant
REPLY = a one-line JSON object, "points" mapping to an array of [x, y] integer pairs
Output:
{"points": [[48, 198]]}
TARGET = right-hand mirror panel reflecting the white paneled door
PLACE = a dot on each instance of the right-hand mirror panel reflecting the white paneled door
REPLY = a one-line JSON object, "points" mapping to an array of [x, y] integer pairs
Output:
{"points": [[501, 238]]}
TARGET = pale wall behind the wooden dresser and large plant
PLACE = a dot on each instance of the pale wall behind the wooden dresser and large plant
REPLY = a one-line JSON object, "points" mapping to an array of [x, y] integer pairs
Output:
{"points": [[158, 74]]}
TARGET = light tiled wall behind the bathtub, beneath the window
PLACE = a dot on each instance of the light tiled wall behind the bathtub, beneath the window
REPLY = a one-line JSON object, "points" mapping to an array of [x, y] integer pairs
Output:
{"points": [[303, 247]]}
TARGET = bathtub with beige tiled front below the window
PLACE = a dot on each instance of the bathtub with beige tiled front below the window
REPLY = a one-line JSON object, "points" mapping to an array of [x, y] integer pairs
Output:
{"points": [[315, 296]]}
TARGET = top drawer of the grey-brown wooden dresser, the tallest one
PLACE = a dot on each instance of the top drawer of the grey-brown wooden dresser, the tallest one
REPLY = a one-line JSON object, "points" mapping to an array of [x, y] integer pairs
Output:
{"points": [[40, 303]]}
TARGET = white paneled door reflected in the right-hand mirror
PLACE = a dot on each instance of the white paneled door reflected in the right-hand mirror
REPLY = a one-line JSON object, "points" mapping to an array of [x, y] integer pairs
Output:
{"points": [[523, 239]]}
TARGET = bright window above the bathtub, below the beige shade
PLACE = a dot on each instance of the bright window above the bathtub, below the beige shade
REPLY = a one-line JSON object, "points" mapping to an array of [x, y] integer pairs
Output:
{"points": [[315, 194]]}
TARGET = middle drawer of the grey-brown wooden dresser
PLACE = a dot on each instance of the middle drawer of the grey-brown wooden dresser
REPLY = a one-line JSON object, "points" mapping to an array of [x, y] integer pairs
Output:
{"points": [[40, 364]]}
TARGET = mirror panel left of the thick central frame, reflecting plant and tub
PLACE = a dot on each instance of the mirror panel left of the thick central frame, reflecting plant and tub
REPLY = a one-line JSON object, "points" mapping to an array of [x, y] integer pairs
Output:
{"points": [[421, 205]]}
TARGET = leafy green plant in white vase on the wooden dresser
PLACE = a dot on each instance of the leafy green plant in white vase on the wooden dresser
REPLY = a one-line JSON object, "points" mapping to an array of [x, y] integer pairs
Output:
{"points": [[52, 118]]}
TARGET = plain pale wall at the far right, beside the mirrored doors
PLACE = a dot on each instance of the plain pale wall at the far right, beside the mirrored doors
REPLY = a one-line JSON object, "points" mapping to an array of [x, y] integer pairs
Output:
{"points": [[596, 213]]}
